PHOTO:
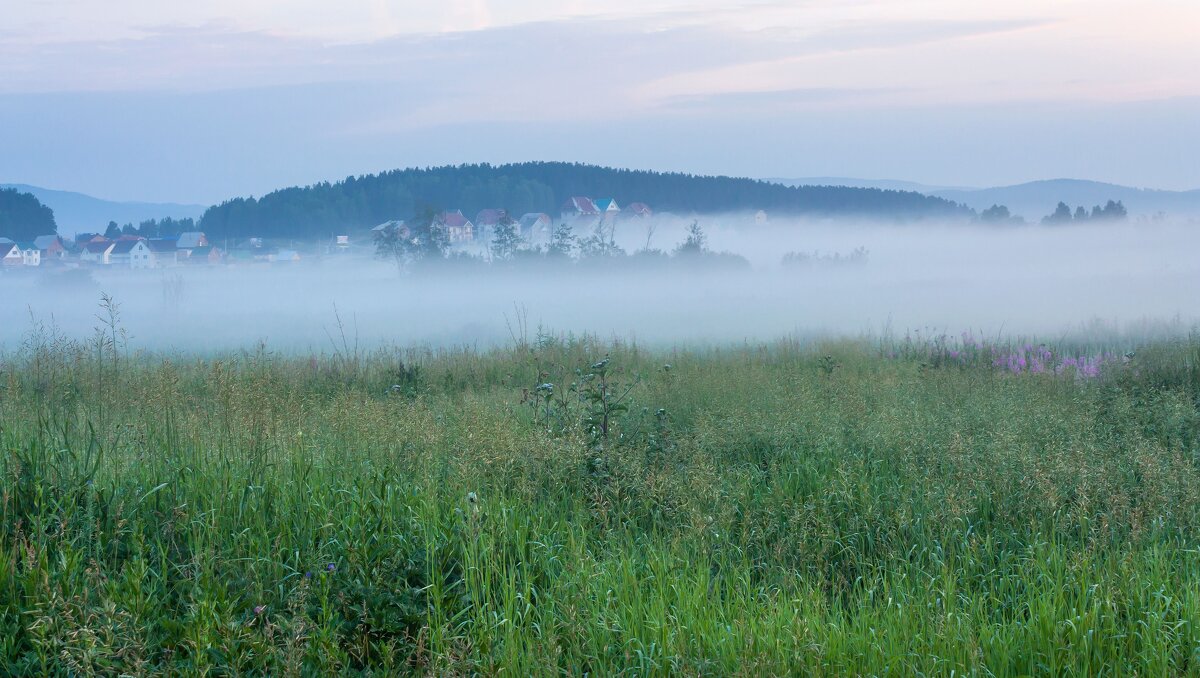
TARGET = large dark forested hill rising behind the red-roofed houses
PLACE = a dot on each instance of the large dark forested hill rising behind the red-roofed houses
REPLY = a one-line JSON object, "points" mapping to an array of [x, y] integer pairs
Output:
{"points": [[362, 202]]}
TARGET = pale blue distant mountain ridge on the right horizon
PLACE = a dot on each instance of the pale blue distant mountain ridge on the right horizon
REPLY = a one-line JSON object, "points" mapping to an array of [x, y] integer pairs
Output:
{"points": [[1035, 200]]}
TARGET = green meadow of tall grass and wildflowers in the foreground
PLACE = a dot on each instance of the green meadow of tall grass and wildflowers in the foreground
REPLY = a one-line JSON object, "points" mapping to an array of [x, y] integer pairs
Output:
{"points": [[579, 507]]}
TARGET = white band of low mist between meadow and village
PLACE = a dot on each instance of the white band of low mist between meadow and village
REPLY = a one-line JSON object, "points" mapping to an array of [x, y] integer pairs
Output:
{"points": [[1029, 280]]}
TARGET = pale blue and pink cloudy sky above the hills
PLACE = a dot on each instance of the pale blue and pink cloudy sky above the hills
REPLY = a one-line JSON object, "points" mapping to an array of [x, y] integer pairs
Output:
{"points": [[208, 100]]}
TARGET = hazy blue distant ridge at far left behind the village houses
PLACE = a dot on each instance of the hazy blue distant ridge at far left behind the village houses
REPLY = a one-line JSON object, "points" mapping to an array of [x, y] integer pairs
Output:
{"points": [[80, 213]]}
